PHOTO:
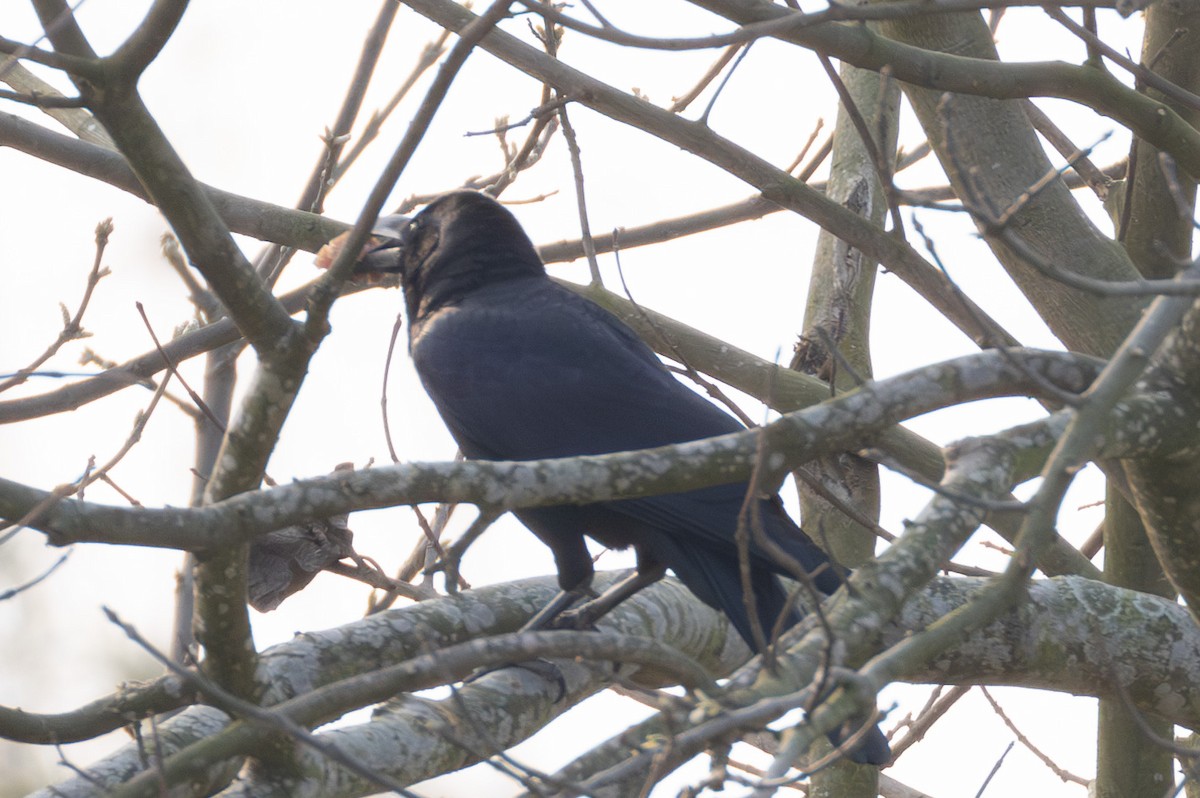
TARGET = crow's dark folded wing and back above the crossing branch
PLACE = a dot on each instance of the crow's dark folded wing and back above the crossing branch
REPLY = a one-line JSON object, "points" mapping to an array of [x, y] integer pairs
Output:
{"points": [[526, 370]]}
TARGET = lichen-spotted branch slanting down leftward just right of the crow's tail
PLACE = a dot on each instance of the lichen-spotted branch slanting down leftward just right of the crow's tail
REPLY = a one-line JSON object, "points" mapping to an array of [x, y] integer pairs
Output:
{"points": [[851, 625]]}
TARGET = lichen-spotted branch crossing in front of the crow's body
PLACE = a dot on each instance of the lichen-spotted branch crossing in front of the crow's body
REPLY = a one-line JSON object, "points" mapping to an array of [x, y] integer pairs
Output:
{"points": [[847, 422]]}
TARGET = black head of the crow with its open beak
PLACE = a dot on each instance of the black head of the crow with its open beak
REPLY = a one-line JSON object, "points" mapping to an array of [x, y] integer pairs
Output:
{"points": [[460, 242]]}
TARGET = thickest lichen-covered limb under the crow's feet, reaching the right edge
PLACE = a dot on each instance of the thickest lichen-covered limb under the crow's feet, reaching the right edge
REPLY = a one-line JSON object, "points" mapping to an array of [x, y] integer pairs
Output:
{"points": [[1073, 635]]}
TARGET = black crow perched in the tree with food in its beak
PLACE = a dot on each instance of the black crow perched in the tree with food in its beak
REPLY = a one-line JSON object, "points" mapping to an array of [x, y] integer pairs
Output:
{"points": [[524, 369]]}
